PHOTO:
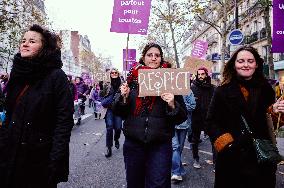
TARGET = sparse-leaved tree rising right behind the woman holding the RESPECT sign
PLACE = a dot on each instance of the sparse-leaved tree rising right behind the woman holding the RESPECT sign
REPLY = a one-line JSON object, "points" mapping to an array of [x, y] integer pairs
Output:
{"points": [[170, 21]]}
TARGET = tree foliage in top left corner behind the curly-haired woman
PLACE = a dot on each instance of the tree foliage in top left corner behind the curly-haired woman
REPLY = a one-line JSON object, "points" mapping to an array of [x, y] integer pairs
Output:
{"points": [[15, 16]]}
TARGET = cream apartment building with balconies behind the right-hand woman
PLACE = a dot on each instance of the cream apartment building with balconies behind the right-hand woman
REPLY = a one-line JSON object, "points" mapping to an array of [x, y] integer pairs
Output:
{"points": [[250, 21]]}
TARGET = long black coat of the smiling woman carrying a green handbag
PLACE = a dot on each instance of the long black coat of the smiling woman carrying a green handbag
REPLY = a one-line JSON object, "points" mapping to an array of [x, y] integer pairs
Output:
{"points": [[237, 165]]}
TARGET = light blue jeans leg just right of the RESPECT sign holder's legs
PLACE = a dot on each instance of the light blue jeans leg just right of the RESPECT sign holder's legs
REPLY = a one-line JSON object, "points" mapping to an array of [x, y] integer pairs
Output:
{"points": [[177, 144]]}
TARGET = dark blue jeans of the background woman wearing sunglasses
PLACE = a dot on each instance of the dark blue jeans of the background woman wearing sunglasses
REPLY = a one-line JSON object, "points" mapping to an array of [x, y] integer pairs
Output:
{"points": [[113, 123]]}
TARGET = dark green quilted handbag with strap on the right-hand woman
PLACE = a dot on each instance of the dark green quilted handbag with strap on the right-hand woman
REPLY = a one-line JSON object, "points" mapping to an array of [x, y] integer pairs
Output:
{"points": [[266, 151]]}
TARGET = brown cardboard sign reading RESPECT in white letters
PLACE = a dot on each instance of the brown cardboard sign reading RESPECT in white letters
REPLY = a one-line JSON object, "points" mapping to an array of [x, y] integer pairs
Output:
{"points": [[154, 82]]}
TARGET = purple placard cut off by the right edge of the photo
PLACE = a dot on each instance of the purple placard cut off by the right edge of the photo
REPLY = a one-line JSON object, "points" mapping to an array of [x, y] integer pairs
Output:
{"points": [[278, 26]]}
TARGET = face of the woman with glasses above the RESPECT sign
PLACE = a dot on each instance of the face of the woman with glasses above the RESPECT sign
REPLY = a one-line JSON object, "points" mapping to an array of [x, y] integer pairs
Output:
{"points": [[153, 58]]}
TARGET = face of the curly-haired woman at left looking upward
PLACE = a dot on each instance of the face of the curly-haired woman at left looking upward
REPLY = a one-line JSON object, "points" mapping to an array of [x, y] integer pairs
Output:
{"points": [[31, 44]]}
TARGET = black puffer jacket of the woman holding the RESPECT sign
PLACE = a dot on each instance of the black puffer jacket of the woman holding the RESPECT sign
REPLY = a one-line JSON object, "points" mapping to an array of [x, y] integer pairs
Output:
{"points": [[157, 126]]}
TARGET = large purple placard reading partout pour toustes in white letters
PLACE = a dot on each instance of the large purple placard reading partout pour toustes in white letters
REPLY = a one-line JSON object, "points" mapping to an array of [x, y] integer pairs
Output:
{"points": [[130, 16]]}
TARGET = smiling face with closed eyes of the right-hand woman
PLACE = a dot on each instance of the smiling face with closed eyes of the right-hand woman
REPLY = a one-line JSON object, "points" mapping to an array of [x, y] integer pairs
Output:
{"points": [[245, 64]]}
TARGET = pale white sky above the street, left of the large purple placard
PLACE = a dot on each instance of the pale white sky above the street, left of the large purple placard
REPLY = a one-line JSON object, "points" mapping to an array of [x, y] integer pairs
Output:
{"points": [[92, 18]]}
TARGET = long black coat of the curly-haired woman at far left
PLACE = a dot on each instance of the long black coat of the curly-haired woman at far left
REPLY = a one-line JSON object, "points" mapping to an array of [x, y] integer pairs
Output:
{"points": [[34, 146]]}
